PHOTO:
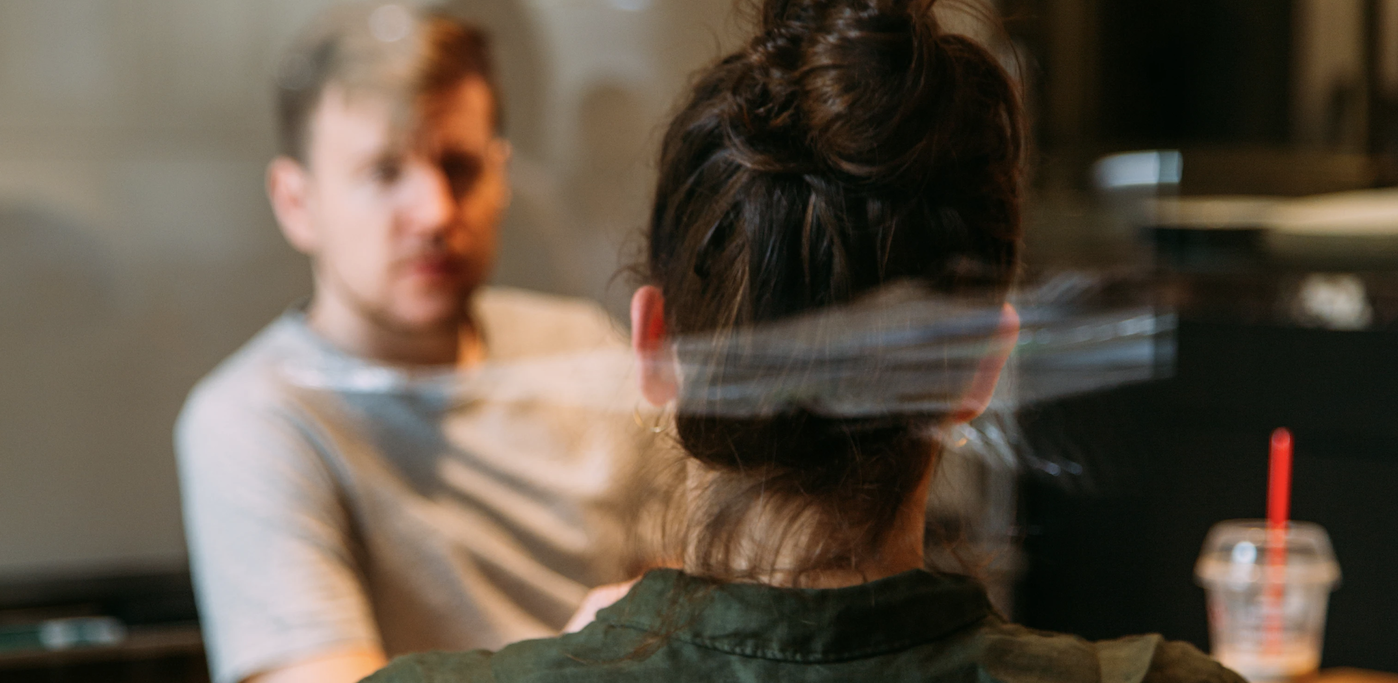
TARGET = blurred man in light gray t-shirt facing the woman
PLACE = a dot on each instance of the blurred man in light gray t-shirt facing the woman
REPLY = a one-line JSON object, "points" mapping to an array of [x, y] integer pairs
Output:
{"points": [[354, 484]]}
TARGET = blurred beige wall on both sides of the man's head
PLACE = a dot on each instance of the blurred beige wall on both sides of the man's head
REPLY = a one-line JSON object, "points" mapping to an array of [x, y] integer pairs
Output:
{"points": [[136, 248]]}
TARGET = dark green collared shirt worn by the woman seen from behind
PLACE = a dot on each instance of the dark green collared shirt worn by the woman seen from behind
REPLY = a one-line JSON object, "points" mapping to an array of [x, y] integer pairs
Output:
{"points": [[915, 626]]}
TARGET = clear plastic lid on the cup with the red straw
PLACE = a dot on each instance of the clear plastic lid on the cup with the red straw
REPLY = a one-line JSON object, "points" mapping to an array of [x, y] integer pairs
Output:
{"points": [[1237, 551]]}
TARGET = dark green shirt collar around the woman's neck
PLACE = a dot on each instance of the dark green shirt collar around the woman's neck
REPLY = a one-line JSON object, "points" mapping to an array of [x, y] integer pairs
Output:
{"points": [[803, 625]]}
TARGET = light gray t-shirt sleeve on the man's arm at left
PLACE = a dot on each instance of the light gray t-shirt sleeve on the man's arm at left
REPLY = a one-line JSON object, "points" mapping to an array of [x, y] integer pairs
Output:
{"points": [[271, 541]]}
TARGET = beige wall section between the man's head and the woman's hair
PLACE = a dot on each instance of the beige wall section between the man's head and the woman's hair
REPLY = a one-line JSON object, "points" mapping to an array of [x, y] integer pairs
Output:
{"points": [[609, 75]]}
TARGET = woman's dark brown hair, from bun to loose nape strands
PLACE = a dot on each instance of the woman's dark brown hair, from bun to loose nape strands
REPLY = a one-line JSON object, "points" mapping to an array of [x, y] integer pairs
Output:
{"points": [[849, 146]]}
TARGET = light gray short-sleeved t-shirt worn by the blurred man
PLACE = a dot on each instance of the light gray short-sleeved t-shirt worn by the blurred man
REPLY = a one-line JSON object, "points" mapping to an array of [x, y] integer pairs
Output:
{"points": [[332, 502]]}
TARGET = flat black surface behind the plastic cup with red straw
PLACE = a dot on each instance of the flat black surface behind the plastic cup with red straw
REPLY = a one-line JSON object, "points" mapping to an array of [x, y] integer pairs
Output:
{"points": [[1114, 552]]}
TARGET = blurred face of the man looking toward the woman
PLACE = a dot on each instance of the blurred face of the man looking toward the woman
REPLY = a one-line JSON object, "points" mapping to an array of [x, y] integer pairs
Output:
{"points": [[402, 226]]}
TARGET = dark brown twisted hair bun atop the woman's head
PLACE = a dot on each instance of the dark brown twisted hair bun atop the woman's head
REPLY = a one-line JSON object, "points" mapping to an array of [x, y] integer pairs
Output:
{"points": [[867, 90]]}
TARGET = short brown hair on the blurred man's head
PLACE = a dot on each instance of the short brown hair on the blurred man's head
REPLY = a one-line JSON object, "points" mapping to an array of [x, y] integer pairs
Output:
{"points": [[416, 58]]}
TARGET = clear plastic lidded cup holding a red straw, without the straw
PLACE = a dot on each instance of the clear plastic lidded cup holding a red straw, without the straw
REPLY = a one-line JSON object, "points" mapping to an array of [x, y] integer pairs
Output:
{"points": [[1267, 611]]}
